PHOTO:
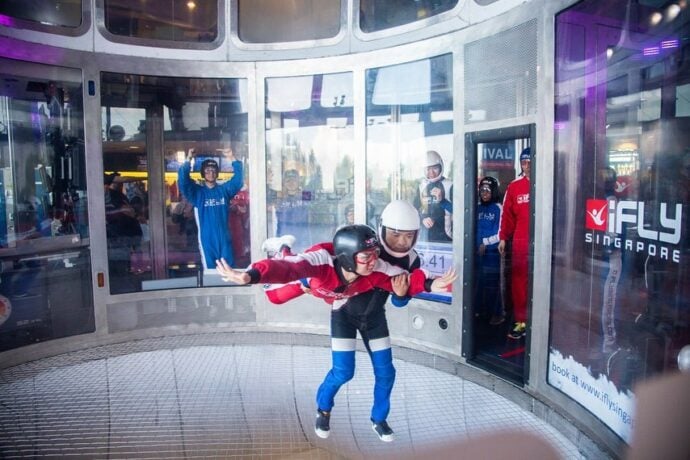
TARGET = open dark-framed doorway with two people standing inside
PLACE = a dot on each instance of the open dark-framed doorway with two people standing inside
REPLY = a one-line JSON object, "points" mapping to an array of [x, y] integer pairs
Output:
{"points": [[499, 235]]}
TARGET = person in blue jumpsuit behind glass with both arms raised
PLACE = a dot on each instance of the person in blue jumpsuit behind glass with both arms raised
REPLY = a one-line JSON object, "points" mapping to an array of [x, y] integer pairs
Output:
{"points": [[211, 203]]}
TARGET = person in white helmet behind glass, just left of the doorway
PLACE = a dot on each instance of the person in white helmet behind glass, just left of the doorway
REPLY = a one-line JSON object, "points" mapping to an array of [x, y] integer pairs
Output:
{"points": [[433, 190]]}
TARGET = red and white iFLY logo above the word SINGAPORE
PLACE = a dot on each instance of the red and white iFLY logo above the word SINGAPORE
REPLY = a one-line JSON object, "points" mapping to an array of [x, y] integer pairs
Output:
{"points": [[660, 225]]}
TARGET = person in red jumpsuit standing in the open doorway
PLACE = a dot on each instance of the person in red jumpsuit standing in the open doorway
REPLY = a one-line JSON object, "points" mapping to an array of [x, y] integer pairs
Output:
{"points": [[515, 227]]}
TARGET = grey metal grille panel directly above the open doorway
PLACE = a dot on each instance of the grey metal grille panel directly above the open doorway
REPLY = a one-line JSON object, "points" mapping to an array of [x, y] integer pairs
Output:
{"points": [[501, 75]]}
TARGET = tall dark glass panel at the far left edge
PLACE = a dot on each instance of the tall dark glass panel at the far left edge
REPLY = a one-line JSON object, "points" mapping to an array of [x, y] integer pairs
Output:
{"points": [[45, 280]]}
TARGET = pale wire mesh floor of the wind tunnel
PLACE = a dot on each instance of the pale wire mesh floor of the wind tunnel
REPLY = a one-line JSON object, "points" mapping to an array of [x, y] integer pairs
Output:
{"points": [[208, 396]]}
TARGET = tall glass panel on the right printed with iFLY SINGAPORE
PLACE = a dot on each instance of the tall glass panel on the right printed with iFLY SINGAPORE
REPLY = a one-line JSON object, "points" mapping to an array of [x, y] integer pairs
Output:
{"points": [[621, 291]]}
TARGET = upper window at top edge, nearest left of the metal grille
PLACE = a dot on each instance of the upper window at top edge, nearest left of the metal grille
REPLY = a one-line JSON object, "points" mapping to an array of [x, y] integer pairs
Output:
{"points": [[383, 14]]}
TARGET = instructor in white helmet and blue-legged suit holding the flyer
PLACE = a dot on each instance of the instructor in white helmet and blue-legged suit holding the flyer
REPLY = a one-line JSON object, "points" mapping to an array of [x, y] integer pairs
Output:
{"points": [[398, 231]]}
